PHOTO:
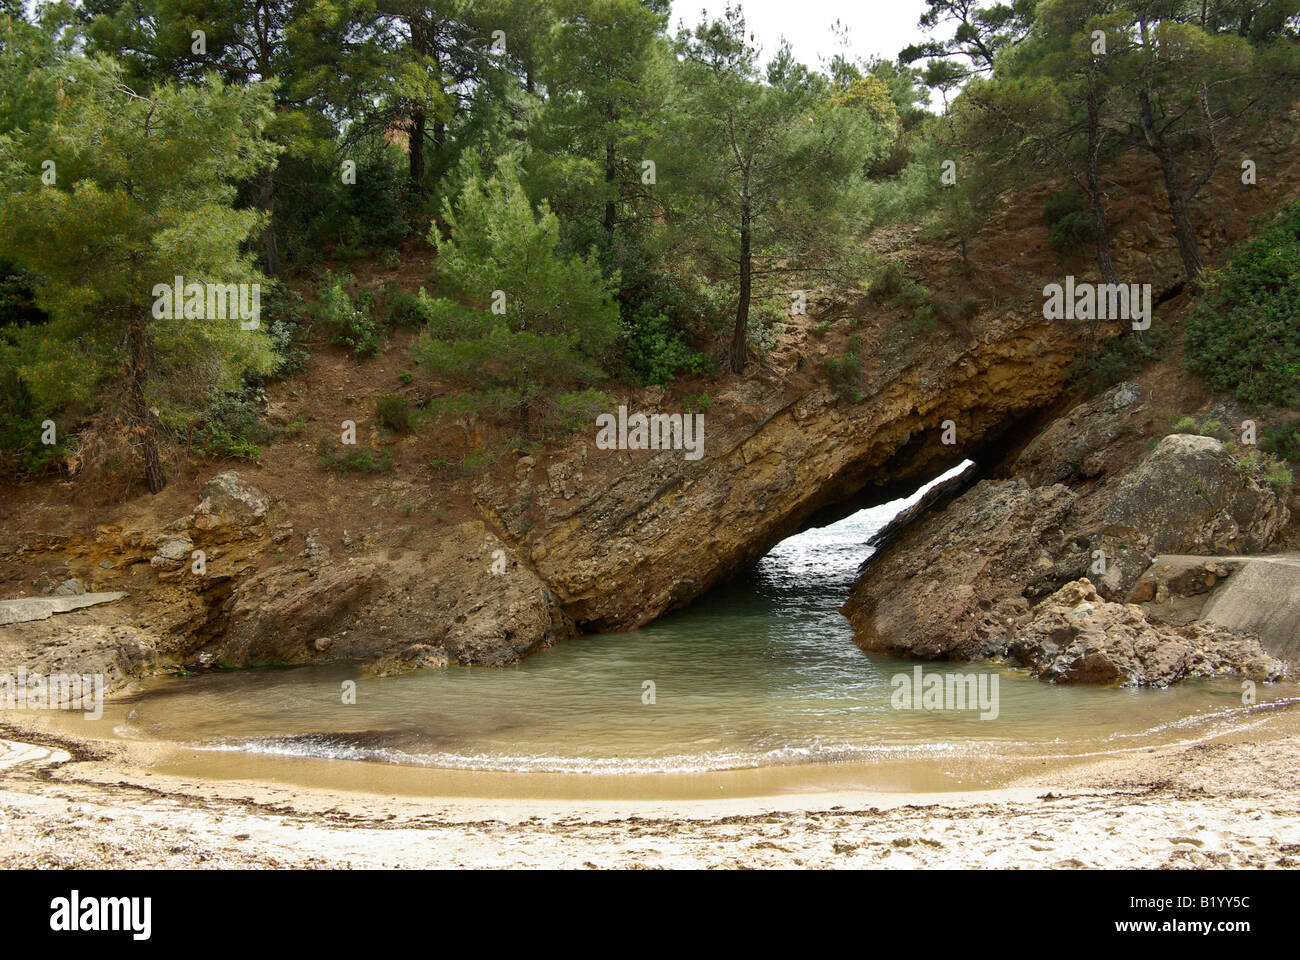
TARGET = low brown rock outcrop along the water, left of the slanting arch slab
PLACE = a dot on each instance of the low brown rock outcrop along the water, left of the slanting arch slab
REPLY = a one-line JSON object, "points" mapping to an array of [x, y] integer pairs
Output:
{"points": [[400, 598]]}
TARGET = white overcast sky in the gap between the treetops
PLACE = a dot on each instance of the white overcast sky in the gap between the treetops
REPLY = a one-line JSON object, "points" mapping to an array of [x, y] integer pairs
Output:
{"points": [[877, 28]]}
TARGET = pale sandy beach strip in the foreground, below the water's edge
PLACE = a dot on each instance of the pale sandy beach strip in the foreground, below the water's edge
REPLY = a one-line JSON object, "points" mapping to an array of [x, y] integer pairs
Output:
{"points": [[1229, 801]]}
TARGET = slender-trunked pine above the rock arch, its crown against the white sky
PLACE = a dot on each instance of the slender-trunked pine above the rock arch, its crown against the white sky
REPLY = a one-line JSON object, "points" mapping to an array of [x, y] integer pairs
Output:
{"points": [[768, 171]]}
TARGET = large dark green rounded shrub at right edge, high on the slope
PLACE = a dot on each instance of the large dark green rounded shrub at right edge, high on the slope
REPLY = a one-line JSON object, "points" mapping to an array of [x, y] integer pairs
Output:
{"points": [[1245, 335]]}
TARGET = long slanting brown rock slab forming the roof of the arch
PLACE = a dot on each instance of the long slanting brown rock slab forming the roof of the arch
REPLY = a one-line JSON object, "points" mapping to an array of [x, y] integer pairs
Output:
{"points": [[626, 537]]}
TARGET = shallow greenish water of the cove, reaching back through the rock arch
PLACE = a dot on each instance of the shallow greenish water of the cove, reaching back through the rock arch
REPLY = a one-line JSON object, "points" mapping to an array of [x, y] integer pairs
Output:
{"points": [[762, 672]]}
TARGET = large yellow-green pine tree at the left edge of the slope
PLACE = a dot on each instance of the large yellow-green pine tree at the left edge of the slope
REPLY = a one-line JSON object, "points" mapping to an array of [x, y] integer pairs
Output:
{"points": [[114, 194]]}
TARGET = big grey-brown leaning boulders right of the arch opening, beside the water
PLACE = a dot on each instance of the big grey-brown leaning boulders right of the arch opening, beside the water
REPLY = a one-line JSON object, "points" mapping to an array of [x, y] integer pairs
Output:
{"points": [[957, 583]]}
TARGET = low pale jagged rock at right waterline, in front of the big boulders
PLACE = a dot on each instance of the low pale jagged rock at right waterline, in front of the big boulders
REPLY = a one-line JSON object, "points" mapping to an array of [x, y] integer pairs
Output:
{"points": [[1076, 637]]}
